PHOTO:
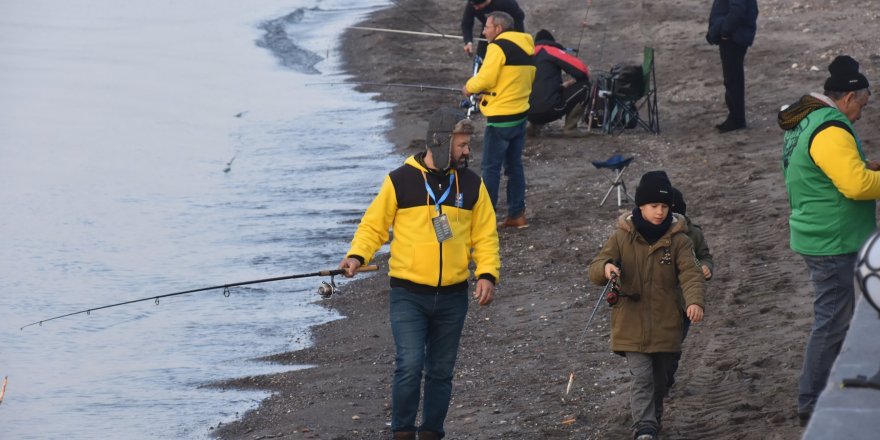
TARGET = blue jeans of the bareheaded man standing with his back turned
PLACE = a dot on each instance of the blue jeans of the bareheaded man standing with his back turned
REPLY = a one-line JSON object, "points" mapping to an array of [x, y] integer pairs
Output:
{"points": [[504, 146]]}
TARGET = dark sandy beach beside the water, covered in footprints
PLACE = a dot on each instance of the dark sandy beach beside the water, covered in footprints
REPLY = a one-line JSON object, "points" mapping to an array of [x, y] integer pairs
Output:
{"points": [[739, 370]]}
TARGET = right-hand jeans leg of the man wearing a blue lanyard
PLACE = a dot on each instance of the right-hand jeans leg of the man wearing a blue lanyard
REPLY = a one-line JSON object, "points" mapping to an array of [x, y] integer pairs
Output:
{"points": [[444, 333]]}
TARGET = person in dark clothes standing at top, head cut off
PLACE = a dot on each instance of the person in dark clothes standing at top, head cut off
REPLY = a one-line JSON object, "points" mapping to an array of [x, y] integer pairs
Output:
{"points": [[732, 26]]}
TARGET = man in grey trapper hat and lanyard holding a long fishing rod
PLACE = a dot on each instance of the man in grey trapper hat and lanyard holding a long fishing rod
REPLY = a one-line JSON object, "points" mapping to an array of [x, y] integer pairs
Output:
{"points": [[442, 219]]}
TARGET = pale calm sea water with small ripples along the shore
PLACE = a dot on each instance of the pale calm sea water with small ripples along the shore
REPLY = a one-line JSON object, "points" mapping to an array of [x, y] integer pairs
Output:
{"points": [[117, 122]]}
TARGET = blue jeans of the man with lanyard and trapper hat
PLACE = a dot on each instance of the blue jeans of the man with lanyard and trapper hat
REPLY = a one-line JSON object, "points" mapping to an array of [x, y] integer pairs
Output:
{"points": [[426, 331]]}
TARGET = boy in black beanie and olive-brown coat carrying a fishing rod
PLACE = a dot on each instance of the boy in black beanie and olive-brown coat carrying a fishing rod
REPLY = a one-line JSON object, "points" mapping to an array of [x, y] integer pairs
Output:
{"points": [[652, 257]]}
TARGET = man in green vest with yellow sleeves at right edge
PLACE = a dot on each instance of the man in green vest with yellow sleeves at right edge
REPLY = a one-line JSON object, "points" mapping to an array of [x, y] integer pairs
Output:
{"points": [[832, 191]]}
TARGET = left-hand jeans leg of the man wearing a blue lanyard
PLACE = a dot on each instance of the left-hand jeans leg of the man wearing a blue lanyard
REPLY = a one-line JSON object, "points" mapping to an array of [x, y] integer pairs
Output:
{"points": [[409, 325]]}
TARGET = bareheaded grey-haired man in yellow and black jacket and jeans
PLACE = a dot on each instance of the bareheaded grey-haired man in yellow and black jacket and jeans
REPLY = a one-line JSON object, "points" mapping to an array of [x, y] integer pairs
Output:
{"points": [[505, 83]]}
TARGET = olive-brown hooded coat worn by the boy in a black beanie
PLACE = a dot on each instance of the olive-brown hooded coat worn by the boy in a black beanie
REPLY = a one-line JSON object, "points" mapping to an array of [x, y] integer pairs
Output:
{"points": [[653, 323]]}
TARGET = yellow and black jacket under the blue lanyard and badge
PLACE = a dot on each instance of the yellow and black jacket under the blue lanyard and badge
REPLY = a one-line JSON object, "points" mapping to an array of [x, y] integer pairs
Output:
{"points": [[418, 261]]}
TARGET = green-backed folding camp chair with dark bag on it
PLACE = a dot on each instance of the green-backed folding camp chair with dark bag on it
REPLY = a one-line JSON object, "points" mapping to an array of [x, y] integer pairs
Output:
{"points": [[621, 103]]}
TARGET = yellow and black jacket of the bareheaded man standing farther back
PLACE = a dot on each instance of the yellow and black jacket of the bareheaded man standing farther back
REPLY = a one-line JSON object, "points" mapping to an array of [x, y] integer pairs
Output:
{"points": [[506, 77]]}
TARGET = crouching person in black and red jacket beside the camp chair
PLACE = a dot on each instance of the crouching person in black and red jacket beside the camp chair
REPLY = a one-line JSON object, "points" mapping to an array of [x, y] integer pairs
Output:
{"points": [[551, 97]]}
